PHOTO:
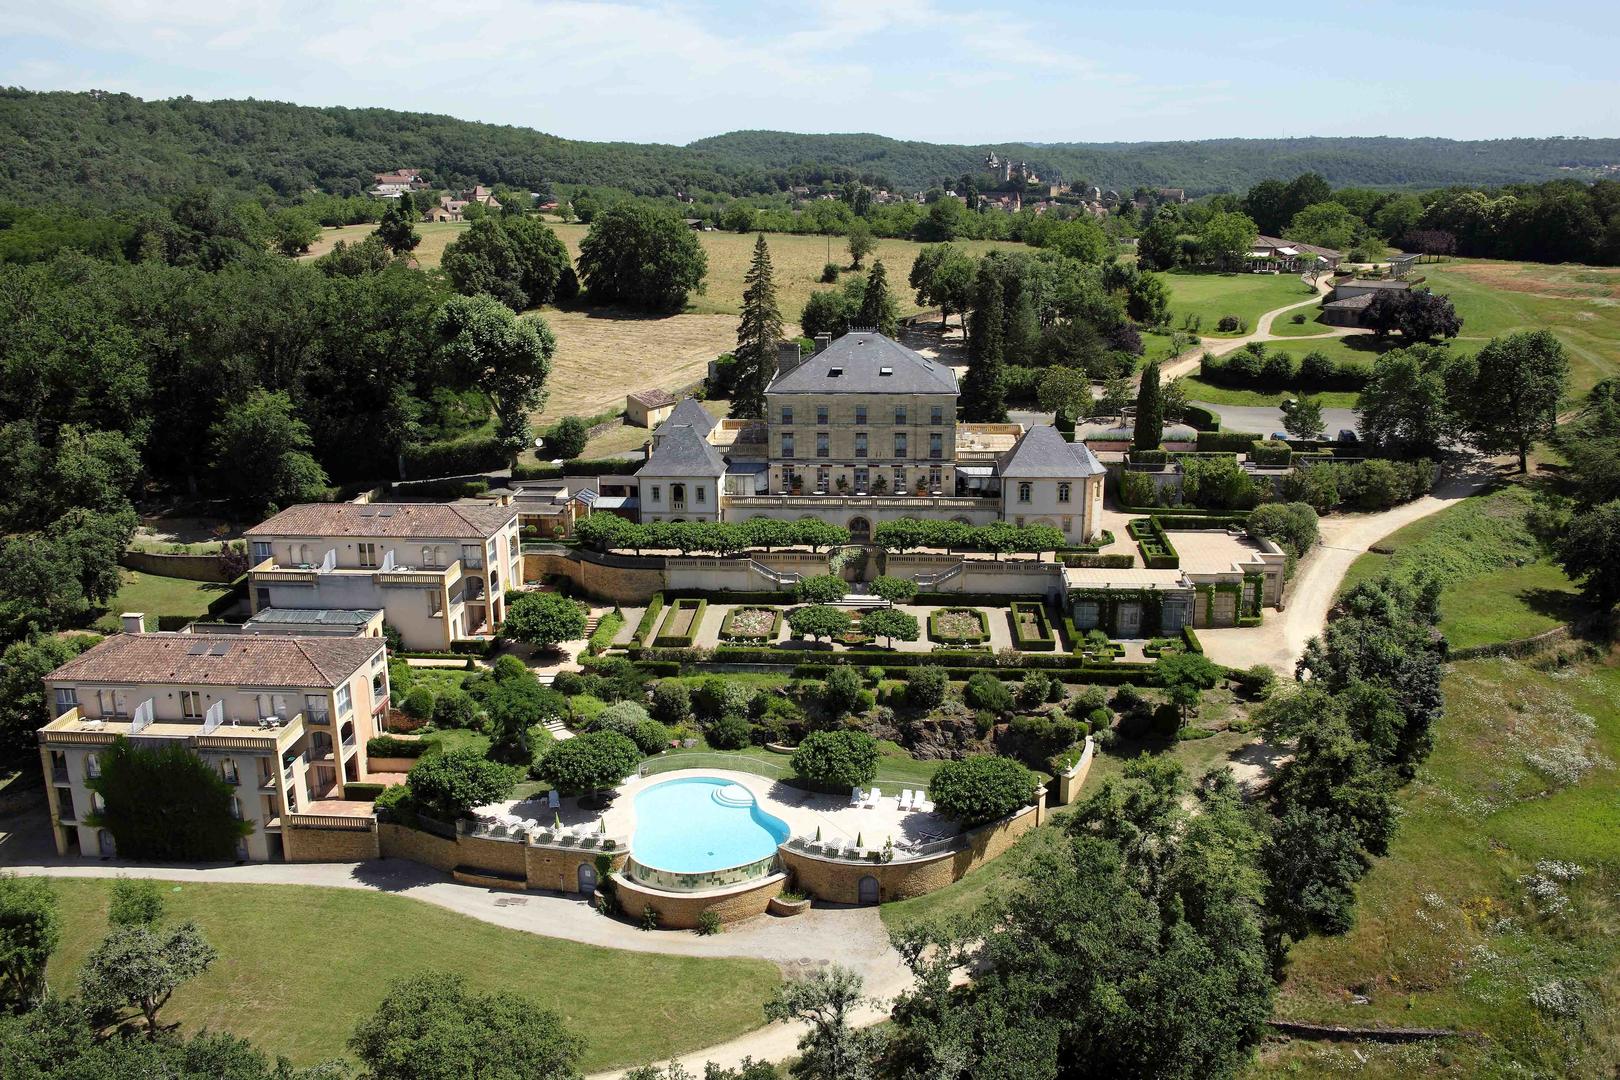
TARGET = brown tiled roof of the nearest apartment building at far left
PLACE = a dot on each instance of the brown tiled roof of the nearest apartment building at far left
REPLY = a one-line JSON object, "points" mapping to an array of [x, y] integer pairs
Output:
{"points": [[213, 660]]}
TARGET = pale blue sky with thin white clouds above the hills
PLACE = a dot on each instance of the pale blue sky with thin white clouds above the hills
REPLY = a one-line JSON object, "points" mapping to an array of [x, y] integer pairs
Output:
{"points": [[934, 70]]}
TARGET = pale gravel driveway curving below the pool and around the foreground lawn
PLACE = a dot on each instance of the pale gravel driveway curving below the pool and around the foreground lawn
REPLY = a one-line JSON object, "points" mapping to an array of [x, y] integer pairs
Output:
{"points": [[824, 937]]}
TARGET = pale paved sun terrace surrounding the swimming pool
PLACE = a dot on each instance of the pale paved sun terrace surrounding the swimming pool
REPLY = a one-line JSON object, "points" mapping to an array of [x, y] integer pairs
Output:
{"points": [[804, 812]]}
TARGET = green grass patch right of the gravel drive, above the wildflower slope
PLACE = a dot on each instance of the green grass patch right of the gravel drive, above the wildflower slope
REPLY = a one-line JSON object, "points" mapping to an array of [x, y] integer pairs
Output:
{"points": [[1499, 587]]}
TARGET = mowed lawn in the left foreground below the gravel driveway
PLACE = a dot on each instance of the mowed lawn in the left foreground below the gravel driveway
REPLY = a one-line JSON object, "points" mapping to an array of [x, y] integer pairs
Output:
{"points": [[301, 966]]}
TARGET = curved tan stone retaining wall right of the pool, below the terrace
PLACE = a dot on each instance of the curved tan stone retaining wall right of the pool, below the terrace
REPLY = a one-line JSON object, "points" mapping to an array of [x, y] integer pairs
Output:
{"points": [[838, 882]]}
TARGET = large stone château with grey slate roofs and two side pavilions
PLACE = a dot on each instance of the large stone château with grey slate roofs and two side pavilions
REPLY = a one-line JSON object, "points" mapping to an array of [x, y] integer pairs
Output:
{"points": [[864, 432]]}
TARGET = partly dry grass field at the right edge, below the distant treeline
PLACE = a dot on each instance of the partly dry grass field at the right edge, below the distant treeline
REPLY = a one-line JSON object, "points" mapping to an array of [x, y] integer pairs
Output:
{"points": [[1577, 304]]}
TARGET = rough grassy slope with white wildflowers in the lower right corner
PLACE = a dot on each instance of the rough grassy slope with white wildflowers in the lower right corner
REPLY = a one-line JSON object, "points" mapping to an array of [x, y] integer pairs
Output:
{"points": [[1447, 933]]}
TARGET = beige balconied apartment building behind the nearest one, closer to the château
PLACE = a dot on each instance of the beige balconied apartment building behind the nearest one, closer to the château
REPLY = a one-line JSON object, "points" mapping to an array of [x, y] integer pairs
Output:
{"points": [[437, 571]]}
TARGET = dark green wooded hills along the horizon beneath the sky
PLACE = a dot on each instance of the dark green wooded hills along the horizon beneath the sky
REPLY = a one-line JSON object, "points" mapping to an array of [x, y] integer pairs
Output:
{"points": [[114, 150]]}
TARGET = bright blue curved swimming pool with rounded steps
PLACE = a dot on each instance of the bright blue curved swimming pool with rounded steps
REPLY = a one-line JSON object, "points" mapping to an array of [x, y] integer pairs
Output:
{"points": [[699, 828]]}
